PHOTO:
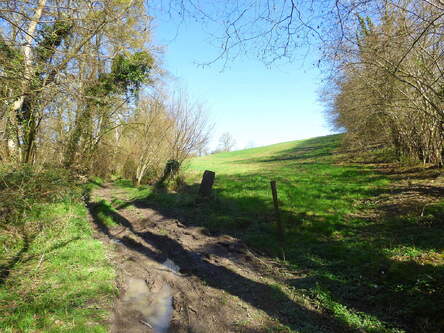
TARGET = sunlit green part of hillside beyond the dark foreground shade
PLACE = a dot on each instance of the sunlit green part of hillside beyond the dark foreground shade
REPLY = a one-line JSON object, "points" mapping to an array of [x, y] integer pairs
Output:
{"points": [[315, 193]]}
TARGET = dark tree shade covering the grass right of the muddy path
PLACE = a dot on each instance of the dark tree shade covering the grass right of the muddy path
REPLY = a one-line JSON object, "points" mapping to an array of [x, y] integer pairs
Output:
{"points": [[355, 271]]}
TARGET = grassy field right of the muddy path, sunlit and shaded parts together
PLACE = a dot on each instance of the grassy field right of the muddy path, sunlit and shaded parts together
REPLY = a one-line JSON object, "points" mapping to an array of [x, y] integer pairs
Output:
{"points": [[373, 270]]}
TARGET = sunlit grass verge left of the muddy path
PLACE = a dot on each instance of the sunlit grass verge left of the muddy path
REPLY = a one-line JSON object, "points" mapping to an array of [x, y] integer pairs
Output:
{"points": [[55, 276]]}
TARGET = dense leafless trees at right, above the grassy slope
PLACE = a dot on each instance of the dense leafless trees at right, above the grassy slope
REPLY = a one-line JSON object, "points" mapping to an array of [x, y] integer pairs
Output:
{"points": [[389, 87]]}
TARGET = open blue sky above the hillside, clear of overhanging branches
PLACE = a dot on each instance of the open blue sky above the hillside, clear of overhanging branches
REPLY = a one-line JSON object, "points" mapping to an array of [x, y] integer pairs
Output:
{"points": [[255, 103]]}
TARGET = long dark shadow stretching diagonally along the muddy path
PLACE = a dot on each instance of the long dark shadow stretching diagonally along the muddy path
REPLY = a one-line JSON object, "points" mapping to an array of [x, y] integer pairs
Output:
{"points": [[262, 296]]}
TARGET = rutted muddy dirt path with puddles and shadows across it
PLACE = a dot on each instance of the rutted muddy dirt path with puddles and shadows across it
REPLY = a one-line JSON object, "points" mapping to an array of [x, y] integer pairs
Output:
{"points": [[174, 278]]}
